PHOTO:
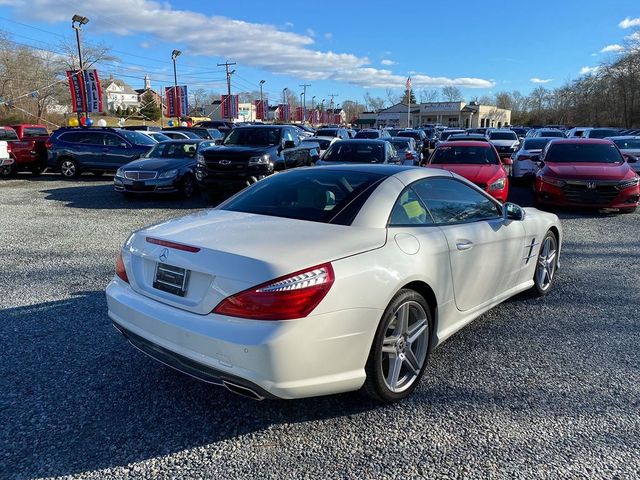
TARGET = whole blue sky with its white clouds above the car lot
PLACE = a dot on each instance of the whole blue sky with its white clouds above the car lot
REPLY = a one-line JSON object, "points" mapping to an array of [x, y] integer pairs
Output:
{"points": [[345, 48]]}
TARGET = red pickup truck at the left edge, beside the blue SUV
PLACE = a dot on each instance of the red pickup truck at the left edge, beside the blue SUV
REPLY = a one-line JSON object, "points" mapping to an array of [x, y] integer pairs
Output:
{"points": [[27, 146]]}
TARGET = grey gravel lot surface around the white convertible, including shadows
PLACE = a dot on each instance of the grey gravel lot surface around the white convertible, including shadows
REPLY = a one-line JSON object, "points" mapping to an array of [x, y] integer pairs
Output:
{"points": [[535, 388]]}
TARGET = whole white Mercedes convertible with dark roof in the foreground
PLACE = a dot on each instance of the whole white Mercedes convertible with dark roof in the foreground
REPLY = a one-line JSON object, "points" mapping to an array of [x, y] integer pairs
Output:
{"points": [[327, 279]]}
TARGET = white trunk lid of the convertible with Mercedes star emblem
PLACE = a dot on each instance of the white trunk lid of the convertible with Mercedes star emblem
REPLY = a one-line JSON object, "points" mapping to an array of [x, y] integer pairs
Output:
{"points": [[237, 251]]}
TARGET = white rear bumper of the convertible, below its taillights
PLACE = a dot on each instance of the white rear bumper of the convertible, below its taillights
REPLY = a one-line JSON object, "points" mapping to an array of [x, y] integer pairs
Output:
{"points": [[318, 355]]}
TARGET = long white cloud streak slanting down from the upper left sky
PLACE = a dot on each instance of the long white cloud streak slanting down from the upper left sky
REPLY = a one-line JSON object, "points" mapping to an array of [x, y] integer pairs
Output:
{"points": [[253, 44]]}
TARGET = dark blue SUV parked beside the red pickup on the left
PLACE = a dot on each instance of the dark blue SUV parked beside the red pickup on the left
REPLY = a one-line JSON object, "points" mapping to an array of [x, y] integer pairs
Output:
{"points": [[98, 150]]}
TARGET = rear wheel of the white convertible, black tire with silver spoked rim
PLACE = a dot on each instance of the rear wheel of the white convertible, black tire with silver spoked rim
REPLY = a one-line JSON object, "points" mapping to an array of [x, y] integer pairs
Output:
{"points": [[376, 384]]}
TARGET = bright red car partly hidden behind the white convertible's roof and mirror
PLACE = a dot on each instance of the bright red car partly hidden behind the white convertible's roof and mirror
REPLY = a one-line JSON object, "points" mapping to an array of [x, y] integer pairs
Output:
{"points": [[478, 162]]}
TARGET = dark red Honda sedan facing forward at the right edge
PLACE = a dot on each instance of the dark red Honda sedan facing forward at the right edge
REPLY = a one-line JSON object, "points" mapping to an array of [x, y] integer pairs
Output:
{"points": [[586, 173]]}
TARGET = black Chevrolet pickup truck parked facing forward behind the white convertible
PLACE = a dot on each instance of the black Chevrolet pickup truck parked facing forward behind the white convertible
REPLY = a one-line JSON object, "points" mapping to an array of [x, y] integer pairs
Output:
{"points": [[249, 154]]}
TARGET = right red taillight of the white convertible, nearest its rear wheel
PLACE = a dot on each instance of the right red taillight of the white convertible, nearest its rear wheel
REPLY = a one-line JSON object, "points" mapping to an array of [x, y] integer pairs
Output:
{"points": [[293, 296]]}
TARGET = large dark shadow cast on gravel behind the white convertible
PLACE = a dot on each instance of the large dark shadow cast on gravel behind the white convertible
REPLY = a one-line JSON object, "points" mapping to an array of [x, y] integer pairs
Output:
{"points": [[77, 397]]}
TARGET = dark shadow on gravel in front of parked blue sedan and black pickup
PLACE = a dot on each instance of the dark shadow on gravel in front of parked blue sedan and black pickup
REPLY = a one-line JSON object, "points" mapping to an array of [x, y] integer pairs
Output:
{"points": [[90, 195]]}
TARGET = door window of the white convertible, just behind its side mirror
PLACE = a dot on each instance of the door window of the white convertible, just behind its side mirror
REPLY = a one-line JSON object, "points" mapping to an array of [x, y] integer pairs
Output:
{"points": [[451, 201]]}
